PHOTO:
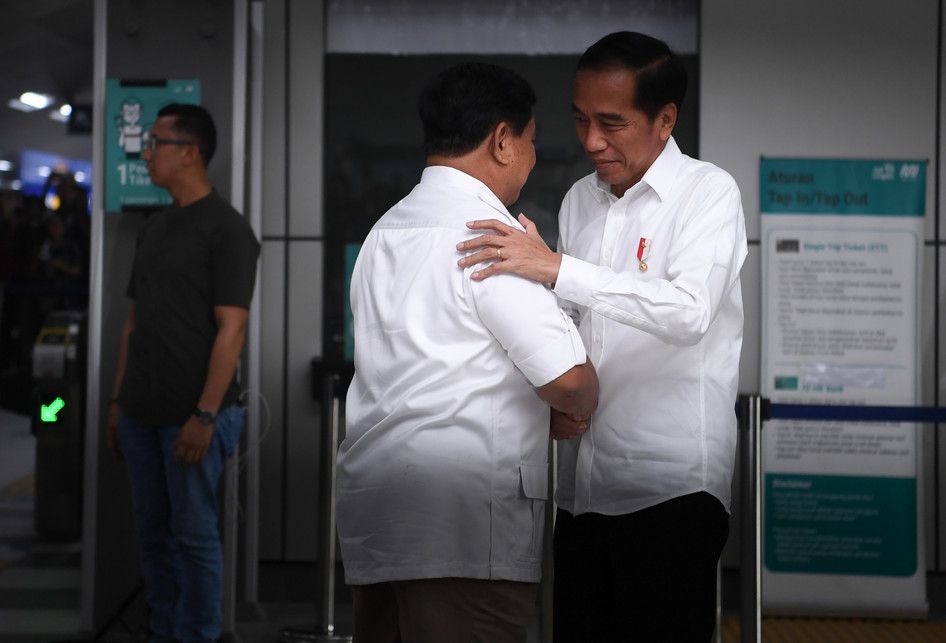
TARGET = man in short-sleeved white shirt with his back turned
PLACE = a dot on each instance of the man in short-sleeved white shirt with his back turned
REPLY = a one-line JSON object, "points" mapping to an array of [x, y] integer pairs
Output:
{"points": [[443, 473]]}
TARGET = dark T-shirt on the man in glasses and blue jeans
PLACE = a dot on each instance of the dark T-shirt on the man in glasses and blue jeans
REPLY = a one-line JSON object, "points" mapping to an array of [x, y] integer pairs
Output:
{"points": [[187, 261]]}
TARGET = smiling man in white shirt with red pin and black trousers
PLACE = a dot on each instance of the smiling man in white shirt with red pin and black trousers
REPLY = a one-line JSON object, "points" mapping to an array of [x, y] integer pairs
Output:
{"points": [[650, 249]]}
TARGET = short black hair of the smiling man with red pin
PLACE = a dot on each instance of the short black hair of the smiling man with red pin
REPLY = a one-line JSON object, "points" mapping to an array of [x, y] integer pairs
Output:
{"points": [[660, 75]]}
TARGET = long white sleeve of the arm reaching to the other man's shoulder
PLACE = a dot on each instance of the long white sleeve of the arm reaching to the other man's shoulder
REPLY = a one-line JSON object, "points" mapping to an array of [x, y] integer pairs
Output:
{"points": [[703, 265]]}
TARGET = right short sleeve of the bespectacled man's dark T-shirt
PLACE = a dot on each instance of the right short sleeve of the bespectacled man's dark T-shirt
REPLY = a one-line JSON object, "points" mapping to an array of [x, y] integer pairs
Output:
{"points": [[235, 251]]}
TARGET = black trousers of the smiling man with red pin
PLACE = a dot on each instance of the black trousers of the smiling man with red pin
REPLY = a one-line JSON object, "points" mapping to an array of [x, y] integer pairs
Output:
{"points": [[647, 576]]}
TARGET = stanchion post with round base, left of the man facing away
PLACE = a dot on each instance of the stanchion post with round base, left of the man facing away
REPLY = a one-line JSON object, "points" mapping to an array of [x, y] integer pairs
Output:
{"points": [[331, 422]]}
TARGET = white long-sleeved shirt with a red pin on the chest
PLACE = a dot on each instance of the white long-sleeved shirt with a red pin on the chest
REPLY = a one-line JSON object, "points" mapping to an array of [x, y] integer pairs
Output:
{"points": [[665, 341]]}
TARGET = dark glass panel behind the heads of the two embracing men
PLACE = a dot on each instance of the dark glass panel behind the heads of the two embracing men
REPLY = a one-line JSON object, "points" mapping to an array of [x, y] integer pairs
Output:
{"points": [[374, 148]]}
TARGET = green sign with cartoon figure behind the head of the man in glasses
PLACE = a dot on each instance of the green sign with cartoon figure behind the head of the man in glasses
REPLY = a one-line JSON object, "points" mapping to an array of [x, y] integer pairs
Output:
{"points": [[131, 108]]}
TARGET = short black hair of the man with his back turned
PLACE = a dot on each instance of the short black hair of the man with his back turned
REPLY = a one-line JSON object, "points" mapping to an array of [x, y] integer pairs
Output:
{"points": [[461, 105]]}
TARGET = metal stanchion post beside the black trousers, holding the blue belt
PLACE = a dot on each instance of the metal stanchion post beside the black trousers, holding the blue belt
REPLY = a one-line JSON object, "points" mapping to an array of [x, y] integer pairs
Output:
{"points": [[750, 424]]}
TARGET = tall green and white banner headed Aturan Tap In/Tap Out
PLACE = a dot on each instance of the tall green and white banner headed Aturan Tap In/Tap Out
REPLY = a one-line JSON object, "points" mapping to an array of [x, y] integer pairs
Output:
{"points": [[841, 256]]}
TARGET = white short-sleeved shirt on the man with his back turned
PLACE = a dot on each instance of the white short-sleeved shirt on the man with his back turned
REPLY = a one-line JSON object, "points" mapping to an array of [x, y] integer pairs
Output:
{"points": [[444, 467]]}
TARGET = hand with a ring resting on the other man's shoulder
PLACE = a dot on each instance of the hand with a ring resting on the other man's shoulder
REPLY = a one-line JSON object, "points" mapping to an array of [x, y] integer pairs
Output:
{"points": [[511, 250]]}
